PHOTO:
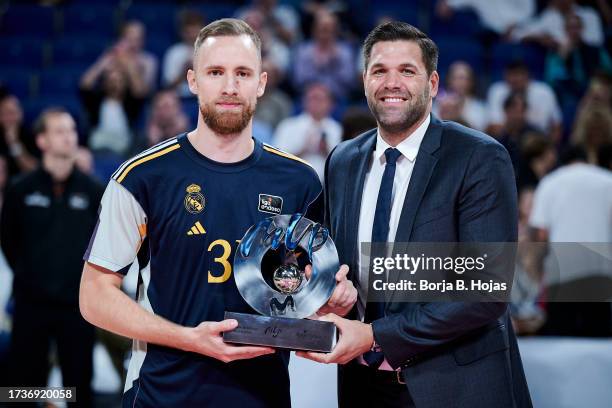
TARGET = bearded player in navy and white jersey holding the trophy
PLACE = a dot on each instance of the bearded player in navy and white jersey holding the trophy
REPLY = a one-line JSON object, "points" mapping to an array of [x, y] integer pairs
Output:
{"points": [[177, 212]]}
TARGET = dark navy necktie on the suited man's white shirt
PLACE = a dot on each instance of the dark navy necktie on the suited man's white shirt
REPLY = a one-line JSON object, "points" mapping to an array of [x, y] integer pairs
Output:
{"points": [[380, 233]]}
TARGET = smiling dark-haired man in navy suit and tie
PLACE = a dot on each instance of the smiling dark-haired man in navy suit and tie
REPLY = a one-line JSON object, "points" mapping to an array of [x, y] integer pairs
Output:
{"points": [[418, 179]]}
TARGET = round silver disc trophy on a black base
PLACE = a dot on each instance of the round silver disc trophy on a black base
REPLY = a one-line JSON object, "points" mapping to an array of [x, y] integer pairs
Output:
{"points": [[269, 274]]}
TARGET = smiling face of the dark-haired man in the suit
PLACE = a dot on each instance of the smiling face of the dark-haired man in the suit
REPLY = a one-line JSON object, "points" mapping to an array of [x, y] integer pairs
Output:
{"points": [[397, 86]]}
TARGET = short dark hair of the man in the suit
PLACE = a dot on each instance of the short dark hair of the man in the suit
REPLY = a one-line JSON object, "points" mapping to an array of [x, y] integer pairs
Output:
{"points": [[398, 31]]}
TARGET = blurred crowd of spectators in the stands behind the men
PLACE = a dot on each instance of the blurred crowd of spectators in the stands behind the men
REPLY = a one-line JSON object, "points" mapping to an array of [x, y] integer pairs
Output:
{"points": [[534, 74]]}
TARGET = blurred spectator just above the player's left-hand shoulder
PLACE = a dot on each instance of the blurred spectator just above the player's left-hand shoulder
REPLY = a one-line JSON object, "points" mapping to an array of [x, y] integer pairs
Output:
{"points": [[167, 119]]}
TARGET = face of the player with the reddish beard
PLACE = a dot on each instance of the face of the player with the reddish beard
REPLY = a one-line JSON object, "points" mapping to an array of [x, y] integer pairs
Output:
{"points": [[227, 79]]}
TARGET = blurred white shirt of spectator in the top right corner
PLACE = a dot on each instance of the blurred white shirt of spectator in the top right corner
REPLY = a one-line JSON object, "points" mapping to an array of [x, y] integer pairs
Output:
{"points": [[548, 29]]}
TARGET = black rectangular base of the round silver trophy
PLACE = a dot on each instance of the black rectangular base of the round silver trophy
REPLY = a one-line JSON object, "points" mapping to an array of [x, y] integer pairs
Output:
{"points": [[281, 332]]}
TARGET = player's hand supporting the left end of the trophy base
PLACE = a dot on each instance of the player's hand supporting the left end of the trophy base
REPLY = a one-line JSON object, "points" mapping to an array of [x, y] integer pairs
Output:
{"points": [[206, 339]]}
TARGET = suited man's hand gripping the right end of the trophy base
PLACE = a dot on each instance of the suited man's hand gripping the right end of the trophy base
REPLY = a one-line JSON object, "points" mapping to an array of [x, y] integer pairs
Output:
{"points": [[355, 339]]}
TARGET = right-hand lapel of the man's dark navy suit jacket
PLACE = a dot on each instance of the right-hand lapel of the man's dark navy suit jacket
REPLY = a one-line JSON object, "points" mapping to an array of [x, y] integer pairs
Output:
{"points": [[424, 166]]}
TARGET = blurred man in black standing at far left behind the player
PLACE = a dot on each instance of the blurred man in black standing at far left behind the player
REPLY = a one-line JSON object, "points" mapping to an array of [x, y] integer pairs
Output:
{"points": [[46, 220]]}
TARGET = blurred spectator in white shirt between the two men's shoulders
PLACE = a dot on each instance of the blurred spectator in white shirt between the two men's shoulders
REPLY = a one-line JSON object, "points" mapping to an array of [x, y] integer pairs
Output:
{"points": [[312, 134]]}
